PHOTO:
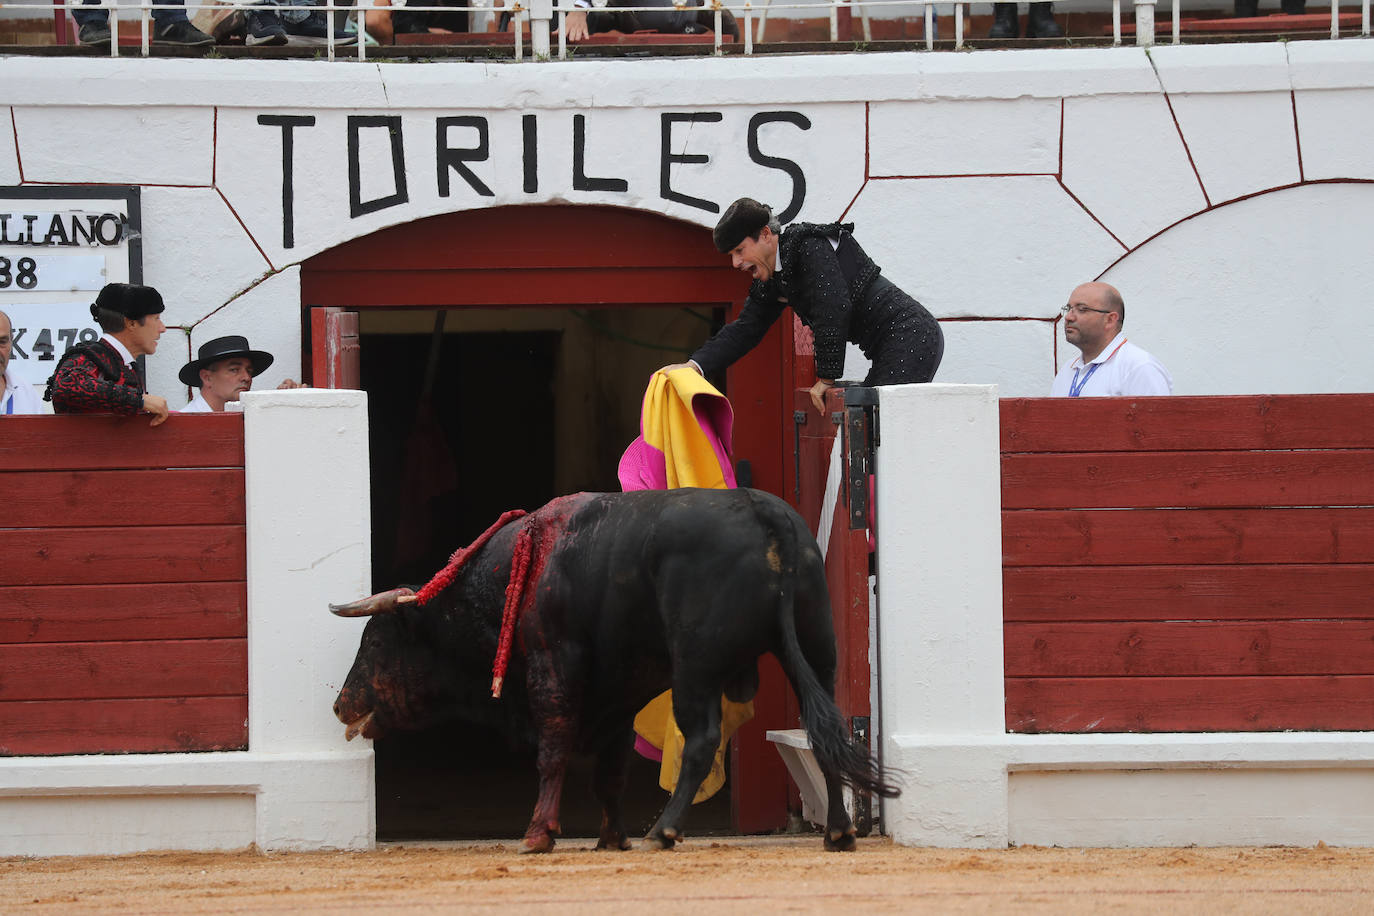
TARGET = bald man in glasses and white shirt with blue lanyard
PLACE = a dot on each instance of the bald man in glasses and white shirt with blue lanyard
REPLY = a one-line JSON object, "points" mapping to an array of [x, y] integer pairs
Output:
{"points": [[1110, 366]]}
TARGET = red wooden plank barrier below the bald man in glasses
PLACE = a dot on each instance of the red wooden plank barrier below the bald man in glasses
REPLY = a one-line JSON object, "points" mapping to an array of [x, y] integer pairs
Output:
{"points": [[1189, 564]]}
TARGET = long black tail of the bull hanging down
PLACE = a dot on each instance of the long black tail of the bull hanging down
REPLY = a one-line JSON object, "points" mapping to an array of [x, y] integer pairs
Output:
{"points": [[820, 715]]}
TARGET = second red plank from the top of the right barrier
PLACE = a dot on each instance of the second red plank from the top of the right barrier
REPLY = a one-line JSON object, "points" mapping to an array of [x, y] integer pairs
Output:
{"points": [[1149, 480]]}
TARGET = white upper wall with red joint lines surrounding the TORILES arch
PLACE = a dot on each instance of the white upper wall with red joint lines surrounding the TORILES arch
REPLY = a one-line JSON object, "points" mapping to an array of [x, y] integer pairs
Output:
{"points": [[1219, 181]]}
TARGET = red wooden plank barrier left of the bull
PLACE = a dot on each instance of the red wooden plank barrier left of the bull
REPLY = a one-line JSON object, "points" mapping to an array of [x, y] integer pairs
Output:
{"points": [[123, 593]]}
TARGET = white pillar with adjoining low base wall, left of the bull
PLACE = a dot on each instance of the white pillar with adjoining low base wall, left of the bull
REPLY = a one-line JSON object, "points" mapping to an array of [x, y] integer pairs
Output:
{"points": [[299, 786]]}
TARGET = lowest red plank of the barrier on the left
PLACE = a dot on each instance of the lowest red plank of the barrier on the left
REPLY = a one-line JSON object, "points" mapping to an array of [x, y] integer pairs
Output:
{"points": [[131, 726]]}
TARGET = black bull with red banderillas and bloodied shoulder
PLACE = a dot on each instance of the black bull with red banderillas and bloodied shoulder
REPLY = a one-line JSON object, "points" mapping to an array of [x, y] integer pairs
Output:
{"points": [[629, 594]]}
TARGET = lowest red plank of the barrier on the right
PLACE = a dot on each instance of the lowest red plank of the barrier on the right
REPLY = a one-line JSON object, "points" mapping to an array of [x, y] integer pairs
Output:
{"points": [[1097, 705]]}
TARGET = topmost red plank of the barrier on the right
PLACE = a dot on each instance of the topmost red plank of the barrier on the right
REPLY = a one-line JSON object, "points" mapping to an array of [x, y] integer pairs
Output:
{"points": [[1188, 424]]}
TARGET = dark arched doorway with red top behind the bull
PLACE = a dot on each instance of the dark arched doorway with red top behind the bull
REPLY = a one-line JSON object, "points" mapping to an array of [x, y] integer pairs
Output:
{"points": [[488, 310]]}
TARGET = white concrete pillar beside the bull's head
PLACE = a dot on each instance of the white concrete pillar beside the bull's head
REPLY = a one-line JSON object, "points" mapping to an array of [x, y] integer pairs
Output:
{"points": [[310, 545]]}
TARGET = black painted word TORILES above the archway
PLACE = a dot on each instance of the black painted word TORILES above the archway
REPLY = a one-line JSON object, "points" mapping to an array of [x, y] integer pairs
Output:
{"points": [[457, 160]]}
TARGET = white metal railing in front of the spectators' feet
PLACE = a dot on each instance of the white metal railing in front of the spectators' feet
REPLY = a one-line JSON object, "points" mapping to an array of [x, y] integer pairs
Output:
{"points": [[541, 17]]}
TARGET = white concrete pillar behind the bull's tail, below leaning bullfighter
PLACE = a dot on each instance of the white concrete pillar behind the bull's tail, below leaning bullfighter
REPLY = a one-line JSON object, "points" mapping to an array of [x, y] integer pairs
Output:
{"points": [[939, 521]]}
